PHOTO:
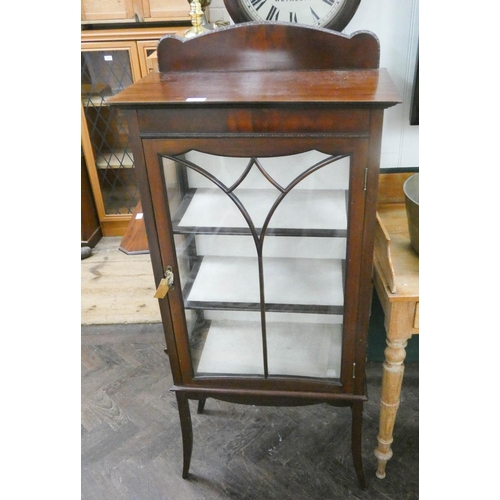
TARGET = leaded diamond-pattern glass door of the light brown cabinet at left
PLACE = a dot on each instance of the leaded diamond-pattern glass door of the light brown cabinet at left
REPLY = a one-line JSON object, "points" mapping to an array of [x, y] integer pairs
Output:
{"points": [[105, 73]]}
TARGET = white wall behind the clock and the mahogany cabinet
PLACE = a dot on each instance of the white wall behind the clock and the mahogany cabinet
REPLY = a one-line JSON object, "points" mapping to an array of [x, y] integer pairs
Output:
{"points": [[395, 22]]}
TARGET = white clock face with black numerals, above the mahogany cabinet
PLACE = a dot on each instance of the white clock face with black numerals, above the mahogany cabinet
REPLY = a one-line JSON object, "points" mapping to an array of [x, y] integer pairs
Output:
{"points": [[333, 14]]}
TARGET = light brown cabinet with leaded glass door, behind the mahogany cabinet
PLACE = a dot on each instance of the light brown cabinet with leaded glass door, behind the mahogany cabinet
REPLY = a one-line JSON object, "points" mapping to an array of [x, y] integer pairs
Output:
{"points": [[111, 60]]}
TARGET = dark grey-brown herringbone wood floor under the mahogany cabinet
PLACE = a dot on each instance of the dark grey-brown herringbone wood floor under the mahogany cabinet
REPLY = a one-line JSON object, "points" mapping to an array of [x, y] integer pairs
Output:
{"points": [[131, 443]]}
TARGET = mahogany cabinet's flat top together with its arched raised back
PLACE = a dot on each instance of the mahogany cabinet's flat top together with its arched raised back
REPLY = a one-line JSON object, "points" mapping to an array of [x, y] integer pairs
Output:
{"points": [[266, 64]]}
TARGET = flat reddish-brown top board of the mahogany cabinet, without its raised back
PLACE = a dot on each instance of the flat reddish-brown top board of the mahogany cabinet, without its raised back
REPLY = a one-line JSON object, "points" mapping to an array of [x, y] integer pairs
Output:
{"points": [[370, 88]]}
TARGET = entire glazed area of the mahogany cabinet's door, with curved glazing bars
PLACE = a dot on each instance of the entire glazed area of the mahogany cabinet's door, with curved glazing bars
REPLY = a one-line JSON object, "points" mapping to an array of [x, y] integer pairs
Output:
{"points": [[261, 246]]}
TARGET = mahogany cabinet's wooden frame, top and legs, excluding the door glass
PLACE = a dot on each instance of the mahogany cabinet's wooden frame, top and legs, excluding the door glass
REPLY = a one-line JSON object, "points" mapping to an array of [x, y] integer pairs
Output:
{"points": [[263, 90]]}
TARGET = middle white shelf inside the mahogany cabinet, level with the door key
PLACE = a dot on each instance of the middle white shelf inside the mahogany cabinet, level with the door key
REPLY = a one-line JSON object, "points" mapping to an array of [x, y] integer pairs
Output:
{"points": [[312, 286]]}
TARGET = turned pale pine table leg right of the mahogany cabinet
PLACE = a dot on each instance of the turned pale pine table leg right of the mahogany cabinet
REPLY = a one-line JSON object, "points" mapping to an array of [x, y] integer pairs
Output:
{"points": [[392, 379]]}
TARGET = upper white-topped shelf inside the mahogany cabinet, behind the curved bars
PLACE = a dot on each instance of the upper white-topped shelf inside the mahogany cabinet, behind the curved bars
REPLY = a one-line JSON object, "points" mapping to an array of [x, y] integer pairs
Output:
{"points": [[211, 211]]}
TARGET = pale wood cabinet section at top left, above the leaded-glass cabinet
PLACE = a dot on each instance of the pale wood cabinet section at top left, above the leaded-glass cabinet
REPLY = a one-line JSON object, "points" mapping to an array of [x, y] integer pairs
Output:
{"points": [[134, 10]]}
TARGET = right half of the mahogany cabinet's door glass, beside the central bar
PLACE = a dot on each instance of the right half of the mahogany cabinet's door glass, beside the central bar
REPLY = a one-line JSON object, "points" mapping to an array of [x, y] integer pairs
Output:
{"points": [[305, 337]]}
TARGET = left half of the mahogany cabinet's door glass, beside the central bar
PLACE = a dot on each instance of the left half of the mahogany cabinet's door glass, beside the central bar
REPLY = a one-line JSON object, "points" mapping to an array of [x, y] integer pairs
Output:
{"points": [[216, 253]]}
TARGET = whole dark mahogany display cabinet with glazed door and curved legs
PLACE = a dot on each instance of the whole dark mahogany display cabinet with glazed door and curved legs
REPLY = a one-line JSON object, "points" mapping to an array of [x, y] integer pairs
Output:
{"points": [[257, 152]]}
